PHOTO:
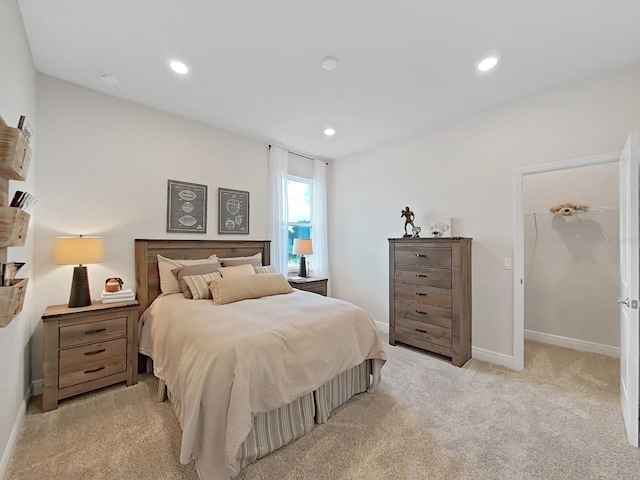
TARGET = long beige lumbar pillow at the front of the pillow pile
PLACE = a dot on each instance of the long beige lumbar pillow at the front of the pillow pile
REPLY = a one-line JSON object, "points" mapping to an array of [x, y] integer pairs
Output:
{"points": [[229, 290]]}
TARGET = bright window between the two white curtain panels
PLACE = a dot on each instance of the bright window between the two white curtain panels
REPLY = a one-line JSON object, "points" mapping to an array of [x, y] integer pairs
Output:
{"points": [[299, 208]]}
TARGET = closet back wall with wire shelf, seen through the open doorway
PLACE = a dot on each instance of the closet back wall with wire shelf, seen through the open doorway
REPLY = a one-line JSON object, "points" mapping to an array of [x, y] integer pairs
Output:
{"points": [[572, 263]]}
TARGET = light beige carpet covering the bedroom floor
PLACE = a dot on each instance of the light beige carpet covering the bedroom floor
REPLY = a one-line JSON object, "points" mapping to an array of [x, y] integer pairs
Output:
{"points": [[559, 418]]}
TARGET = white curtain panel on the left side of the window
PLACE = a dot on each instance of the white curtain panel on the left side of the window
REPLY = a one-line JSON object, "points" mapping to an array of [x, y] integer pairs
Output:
{"points": [[278, 208]]}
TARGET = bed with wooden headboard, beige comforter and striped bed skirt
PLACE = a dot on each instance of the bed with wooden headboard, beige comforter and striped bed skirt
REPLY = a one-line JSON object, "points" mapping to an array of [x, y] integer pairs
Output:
{"points": [[248, 377]]}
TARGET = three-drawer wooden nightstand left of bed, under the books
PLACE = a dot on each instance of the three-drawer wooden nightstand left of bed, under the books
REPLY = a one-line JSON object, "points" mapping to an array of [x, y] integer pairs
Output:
{"points": [[86, 348]]}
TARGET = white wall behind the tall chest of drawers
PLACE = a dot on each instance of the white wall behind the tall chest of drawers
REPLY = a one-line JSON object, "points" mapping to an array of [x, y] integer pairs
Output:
{"points": [[465, 171]]}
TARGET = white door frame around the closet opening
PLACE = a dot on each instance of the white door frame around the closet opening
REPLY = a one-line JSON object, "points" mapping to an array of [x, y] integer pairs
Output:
{"points": [[518, 239]]}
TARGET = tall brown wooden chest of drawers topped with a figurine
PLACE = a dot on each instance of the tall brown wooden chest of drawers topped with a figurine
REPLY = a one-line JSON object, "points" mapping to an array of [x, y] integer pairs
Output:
{"points": [[430, 295]]}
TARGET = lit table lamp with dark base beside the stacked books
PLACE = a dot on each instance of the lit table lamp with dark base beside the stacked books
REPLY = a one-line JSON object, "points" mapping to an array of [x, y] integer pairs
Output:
{"points": [[79, 251]]}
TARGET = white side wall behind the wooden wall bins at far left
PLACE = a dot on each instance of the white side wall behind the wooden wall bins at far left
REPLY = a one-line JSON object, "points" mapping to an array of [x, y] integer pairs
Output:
{"points": [[17, 97]]}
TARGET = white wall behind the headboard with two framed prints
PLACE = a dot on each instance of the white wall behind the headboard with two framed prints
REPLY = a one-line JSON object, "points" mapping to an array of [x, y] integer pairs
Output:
{"points": [[104, 172]]}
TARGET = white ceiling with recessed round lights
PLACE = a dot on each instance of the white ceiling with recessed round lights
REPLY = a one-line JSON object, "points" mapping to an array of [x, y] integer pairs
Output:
{"points": [[405, 66]]}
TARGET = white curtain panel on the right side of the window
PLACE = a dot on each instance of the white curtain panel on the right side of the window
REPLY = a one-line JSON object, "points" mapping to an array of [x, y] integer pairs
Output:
{"points": [[319, 220]]}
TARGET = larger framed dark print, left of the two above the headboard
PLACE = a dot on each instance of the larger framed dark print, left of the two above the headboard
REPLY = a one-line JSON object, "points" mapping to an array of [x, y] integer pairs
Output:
{"points": [[186, 207]]}
